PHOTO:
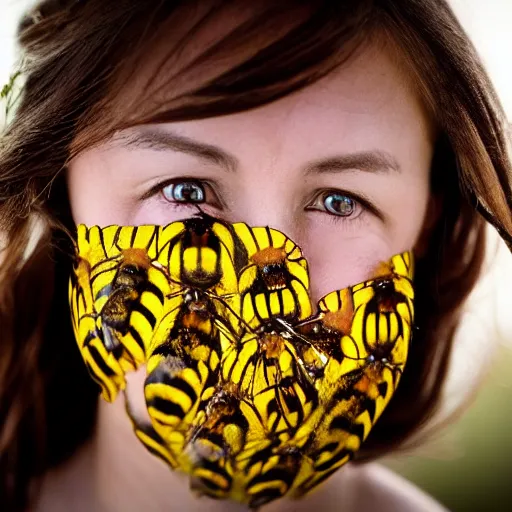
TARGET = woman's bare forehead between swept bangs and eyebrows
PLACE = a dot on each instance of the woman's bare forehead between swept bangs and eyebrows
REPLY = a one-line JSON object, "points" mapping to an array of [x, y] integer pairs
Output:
{"points": [[370, 102]]}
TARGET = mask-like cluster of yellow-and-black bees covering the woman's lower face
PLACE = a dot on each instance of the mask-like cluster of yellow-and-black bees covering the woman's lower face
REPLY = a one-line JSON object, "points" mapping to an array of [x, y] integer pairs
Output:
{"points": [[249, 391]]}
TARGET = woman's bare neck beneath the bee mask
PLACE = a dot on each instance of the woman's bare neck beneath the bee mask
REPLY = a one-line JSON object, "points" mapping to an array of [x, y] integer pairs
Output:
{"points": [[115, 472]]}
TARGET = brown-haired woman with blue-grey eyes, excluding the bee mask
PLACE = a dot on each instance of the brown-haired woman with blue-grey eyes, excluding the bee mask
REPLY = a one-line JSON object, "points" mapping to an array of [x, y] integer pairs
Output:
{"points": [[360, 129]]}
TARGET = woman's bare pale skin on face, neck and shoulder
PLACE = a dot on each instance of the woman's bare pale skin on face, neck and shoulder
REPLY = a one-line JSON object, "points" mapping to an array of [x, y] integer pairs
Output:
{"points": [[361, 133]]}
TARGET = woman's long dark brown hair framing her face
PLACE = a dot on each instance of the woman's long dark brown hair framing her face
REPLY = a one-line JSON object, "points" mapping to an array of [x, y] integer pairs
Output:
{"points": [[77, 57]]}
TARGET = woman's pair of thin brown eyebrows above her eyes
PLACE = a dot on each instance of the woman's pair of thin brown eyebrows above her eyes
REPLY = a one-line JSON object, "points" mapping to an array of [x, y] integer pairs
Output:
{"points": [[375, 161]]}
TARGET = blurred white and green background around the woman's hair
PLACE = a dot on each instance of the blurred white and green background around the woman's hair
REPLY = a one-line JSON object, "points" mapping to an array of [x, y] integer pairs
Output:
{"points": [[467, 466]]}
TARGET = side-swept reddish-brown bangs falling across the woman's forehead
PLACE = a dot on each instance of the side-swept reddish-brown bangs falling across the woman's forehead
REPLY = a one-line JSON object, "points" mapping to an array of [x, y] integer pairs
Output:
{"points": [[209, 59]]}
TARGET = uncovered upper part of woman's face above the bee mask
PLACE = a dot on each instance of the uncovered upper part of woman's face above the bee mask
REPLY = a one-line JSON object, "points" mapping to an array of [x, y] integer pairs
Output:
{"points": [[342, 167]]}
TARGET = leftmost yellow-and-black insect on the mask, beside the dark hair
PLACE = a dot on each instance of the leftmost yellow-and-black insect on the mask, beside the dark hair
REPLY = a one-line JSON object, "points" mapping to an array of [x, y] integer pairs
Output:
{"points": [[116, 297]]}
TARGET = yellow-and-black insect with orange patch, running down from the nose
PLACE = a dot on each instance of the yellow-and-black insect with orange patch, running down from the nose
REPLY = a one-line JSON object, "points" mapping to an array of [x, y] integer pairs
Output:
{"points": [[263, 364]]}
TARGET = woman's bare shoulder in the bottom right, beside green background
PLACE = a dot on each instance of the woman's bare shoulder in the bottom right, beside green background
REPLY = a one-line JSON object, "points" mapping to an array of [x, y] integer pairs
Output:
{"points": [[391, 492]]}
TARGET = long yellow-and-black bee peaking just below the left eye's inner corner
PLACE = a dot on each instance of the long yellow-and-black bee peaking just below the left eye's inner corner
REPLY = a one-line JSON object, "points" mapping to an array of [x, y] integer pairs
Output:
{"points": [[202, 315]]}
